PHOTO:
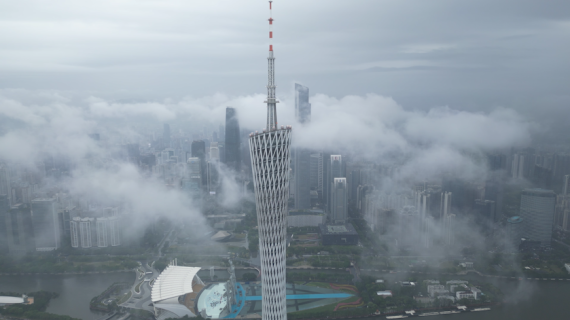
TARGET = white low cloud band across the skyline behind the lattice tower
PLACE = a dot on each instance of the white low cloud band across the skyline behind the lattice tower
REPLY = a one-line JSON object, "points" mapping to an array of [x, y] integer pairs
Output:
{"points": [[370, 127]]}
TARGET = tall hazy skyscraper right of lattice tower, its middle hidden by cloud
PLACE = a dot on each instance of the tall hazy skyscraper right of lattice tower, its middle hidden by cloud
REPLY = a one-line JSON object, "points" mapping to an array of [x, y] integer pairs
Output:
{"points": [[302, 158]]}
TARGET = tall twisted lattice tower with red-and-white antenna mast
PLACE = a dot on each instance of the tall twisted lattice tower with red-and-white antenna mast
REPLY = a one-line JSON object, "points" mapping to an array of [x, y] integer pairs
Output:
{"points": [[270, 162]]}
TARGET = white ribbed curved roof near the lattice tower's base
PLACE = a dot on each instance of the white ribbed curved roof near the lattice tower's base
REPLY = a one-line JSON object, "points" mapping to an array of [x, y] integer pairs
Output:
{"points": [[173, 282]]}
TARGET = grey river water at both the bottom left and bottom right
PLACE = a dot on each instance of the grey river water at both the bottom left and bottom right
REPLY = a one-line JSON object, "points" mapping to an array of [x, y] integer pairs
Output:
{"points": [[527, 300]]}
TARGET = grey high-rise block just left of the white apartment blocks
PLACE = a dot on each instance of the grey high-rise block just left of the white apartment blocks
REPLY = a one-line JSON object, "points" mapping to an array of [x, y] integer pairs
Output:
{"points": [[46, 224]]}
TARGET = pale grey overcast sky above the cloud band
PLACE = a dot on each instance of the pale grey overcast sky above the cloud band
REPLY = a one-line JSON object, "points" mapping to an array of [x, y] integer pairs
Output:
{"points": [[468, 55]]}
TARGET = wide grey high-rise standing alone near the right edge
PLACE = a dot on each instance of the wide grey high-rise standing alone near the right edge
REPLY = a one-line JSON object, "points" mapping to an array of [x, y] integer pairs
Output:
{"points": [[537, 212]]}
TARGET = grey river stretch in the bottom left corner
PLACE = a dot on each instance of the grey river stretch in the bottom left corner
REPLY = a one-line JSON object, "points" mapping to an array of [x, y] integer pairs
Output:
{"points": [[75, 291]]}
